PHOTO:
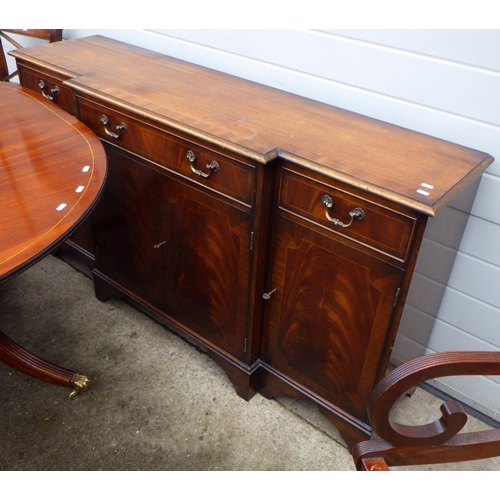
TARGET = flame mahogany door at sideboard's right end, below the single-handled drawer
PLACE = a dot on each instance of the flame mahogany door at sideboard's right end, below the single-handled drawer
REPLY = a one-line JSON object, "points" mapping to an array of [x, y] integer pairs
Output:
{"points": [[329, 317]]}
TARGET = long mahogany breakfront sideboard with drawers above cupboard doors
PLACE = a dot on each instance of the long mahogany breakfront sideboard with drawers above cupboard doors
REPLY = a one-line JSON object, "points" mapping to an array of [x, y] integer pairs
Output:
{"points": [[278, 233]]}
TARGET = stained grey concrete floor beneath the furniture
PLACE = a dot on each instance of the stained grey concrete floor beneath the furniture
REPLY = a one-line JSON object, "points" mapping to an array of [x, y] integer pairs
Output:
{"points": [[156, 402]]}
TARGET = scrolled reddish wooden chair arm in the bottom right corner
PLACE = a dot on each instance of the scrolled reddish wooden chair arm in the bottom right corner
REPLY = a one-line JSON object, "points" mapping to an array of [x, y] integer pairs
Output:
{"points": [[438, 441]]}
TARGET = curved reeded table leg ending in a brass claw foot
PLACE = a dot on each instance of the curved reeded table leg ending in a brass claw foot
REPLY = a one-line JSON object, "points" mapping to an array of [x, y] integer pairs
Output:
{"points": [[22, 360]]}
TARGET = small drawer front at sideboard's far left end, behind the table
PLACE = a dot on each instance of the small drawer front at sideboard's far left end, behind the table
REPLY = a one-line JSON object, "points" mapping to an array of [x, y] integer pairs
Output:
{"points": [[50, 87]]}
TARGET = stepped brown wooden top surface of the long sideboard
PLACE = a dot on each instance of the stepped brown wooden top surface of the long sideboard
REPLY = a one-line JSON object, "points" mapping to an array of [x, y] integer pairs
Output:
{"points": [[262, 123]]}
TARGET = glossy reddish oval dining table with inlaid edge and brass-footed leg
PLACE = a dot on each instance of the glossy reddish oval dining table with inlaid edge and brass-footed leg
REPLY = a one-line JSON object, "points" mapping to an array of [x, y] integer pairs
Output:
{"points": [[52, 172]]}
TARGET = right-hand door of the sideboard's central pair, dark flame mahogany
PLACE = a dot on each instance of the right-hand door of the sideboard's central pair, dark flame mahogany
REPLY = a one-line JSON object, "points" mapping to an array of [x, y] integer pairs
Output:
{"points": [[207, 260]]}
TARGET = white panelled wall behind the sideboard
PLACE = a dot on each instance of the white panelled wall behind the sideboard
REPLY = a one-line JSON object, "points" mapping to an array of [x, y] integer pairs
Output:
{"points": [[445, 83]]}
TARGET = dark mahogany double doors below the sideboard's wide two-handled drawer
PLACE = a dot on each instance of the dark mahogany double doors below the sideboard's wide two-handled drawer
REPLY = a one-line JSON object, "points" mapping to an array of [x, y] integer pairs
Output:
{"points": [[176, 248]]}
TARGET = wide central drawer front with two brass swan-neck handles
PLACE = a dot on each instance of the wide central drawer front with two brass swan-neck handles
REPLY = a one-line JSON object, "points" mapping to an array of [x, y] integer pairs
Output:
{"points": [[216, 172]]}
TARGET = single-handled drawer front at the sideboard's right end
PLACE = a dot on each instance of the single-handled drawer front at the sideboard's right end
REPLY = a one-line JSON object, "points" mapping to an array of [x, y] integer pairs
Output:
{"points": [[334, 208]]}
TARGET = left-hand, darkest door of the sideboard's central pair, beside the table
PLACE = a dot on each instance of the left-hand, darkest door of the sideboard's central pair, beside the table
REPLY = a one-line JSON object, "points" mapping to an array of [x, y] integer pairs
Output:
{"points": [[123, 228]]}
